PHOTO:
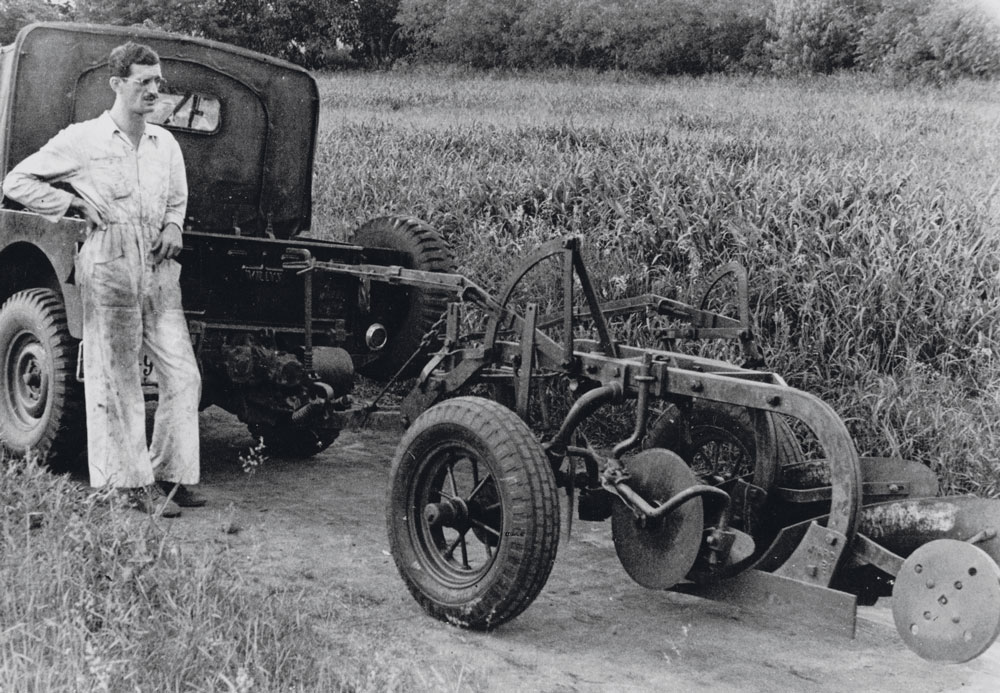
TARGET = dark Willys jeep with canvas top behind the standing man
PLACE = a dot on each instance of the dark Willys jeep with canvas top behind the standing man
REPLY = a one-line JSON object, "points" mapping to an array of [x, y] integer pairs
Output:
{"points": [[247, 126]]}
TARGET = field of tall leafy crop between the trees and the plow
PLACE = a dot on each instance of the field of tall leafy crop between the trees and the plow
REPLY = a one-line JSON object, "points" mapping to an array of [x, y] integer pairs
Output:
{"points": [[867, 217]]}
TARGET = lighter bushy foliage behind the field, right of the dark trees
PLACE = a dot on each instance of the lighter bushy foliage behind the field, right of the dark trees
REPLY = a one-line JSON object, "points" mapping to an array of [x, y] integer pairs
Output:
{"points": [[924, 38]]}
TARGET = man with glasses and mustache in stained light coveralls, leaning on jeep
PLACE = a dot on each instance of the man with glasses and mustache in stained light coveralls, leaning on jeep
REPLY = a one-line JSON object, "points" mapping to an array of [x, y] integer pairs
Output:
{"points": [[127, 180]]}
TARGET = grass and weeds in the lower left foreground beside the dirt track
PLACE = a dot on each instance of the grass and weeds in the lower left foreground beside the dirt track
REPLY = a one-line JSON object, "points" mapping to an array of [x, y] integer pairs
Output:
{"points": [[95, 597]]}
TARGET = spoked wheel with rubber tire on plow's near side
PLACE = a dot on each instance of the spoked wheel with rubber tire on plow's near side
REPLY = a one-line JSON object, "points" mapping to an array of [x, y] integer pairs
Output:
{"points": [[473, 515]]}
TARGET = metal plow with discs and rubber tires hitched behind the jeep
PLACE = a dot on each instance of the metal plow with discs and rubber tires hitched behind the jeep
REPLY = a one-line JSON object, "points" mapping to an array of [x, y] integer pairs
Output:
{"points": [[711, 493]]}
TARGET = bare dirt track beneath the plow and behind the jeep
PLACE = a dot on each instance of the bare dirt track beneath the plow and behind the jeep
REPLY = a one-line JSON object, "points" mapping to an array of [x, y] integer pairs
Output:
{"points": [[320, 524]]}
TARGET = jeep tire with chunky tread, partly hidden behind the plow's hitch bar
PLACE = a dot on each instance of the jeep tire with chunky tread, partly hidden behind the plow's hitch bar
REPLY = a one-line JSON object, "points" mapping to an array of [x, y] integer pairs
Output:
{"points": [[428, 252]]}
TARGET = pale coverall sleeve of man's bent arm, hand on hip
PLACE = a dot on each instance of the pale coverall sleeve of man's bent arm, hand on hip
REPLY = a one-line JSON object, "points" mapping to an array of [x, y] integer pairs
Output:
{"points": [[30, 182]]}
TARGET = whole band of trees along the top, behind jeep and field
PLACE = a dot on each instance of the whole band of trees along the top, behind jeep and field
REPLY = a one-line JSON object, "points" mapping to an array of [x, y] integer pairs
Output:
{"points": [[934, 40]]}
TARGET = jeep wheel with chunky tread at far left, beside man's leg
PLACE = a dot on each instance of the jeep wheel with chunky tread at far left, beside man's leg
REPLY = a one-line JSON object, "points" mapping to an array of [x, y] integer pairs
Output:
{"points": [[41, 402]]}
